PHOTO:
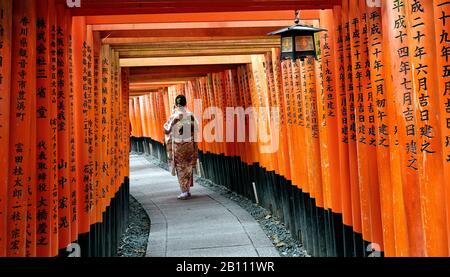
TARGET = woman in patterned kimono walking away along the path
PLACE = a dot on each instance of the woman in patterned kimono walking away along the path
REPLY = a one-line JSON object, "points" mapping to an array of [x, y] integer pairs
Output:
{"points": [[182, 150]]}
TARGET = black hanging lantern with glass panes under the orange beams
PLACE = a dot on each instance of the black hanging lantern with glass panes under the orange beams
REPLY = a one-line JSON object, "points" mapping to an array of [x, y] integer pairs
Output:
{"points": [[297, 41]]}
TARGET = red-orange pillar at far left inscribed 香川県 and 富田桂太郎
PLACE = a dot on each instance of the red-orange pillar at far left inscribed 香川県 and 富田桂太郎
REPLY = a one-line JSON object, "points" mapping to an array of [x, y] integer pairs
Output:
{"points": [[23, 85]]}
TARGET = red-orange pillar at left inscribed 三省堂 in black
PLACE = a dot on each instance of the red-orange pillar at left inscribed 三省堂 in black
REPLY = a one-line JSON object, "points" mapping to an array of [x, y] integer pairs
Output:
{"points": [[46, 139]]}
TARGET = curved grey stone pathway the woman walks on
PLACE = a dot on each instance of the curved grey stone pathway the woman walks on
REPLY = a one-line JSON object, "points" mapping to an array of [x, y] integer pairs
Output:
{"points": [[207, 225]]}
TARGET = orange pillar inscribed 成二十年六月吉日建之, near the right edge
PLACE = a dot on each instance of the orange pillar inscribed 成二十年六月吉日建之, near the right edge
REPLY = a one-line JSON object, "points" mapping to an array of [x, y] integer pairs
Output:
{"points": [[428, 139]]}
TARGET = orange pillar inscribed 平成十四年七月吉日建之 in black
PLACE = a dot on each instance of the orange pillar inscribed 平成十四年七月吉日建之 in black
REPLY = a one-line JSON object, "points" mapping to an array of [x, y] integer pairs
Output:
{"points": [[402, 131]]}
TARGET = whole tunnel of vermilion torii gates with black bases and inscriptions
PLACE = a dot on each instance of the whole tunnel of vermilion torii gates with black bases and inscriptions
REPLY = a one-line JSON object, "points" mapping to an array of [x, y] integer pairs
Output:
{"points": [[362, 159]]}
